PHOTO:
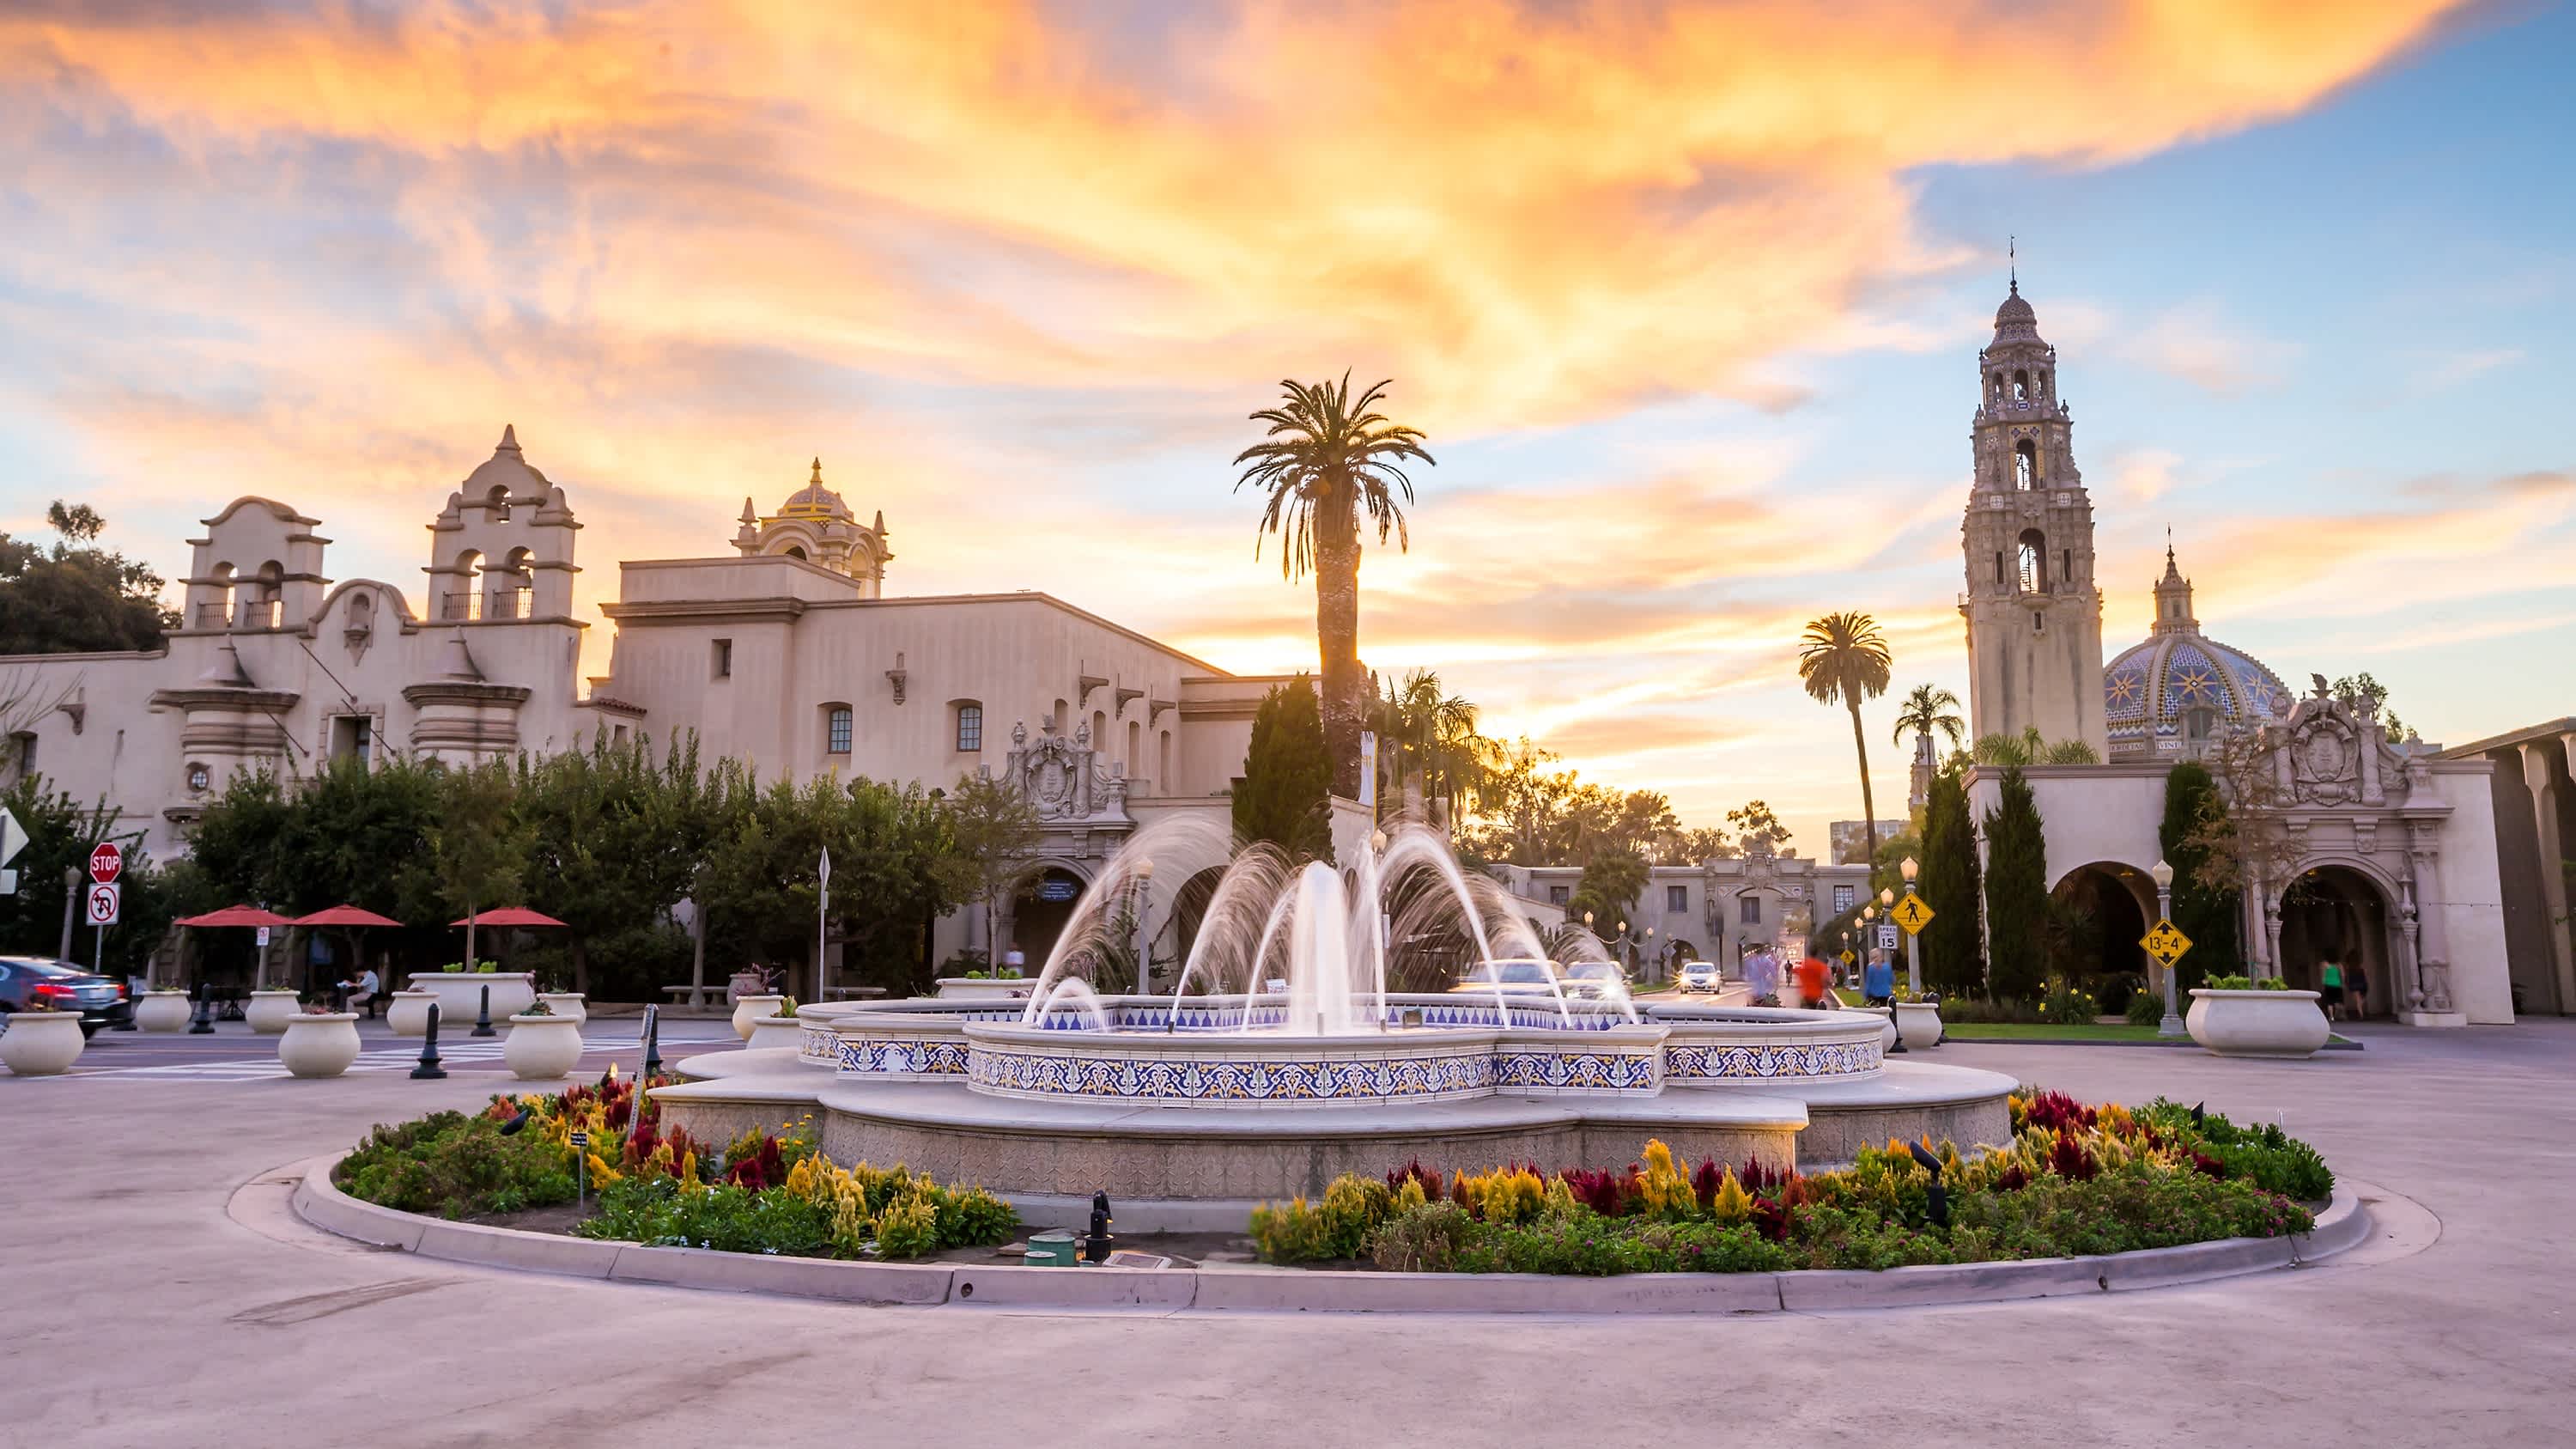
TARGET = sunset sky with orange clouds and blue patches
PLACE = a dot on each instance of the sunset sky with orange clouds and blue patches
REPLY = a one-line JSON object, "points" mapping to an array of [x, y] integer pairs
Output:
{"points": [[1689, 300]]}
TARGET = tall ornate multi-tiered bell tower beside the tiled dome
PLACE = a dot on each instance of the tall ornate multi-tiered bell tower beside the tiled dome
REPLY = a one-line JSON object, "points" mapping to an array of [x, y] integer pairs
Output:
{"points": [[2034, 610]]}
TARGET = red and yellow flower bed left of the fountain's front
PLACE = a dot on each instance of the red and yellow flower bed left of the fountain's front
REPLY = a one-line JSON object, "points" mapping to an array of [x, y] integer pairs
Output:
{"points": [[766, 1192]]}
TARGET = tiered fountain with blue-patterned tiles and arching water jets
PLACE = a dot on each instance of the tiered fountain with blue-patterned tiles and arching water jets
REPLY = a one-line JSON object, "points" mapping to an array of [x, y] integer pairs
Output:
{"points": [[1284, 1053]]}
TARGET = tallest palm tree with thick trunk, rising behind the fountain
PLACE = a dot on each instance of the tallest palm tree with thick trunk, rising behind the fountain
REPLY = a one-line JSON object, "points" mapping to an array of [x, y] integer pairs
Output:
{"points": [[1325, 460]]}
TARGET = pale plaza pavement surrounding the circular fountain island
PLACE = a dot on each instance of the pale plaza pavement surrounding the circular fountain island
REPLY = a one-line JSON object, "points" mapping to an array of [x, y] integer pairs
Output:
{"points": [[146, 1298]]}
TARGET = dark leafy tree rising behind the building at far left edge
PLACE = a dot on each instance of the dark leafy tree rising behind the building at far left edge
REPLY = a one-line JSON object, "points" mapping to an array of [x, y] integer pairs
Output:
{"points": [[79, 597]]}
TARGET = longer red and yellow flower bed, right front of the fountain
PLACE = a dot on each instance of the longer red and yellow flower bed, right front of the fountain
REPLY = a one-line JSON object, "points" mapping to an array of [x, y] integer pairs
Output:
{"points": [[2075, 1182]]}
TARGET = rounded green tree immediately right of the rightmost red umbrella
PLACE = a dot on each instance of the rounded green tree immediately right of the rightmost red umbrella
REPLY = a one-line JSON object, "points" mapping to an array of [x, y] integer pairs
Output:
{"points": [[614, 839]]}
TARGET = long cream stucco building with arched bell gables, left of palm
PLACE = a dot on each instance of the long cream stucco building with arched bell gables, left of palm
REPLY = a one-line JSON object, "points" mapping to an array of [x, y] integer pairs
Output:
{"points": [[782, 646]]}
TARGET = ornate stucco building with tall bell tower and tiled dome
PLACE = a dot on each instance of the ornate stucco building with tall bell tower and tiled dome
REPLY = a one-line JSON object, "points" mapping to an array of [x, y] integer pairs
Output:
{"points": [[2382, 852]]}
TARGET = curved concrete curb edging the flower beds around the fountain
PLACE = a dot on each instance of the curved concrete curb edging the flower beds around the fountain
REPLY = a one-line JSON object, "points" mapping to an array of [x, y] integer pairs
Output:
{"points": [[2343, 1226]]}
